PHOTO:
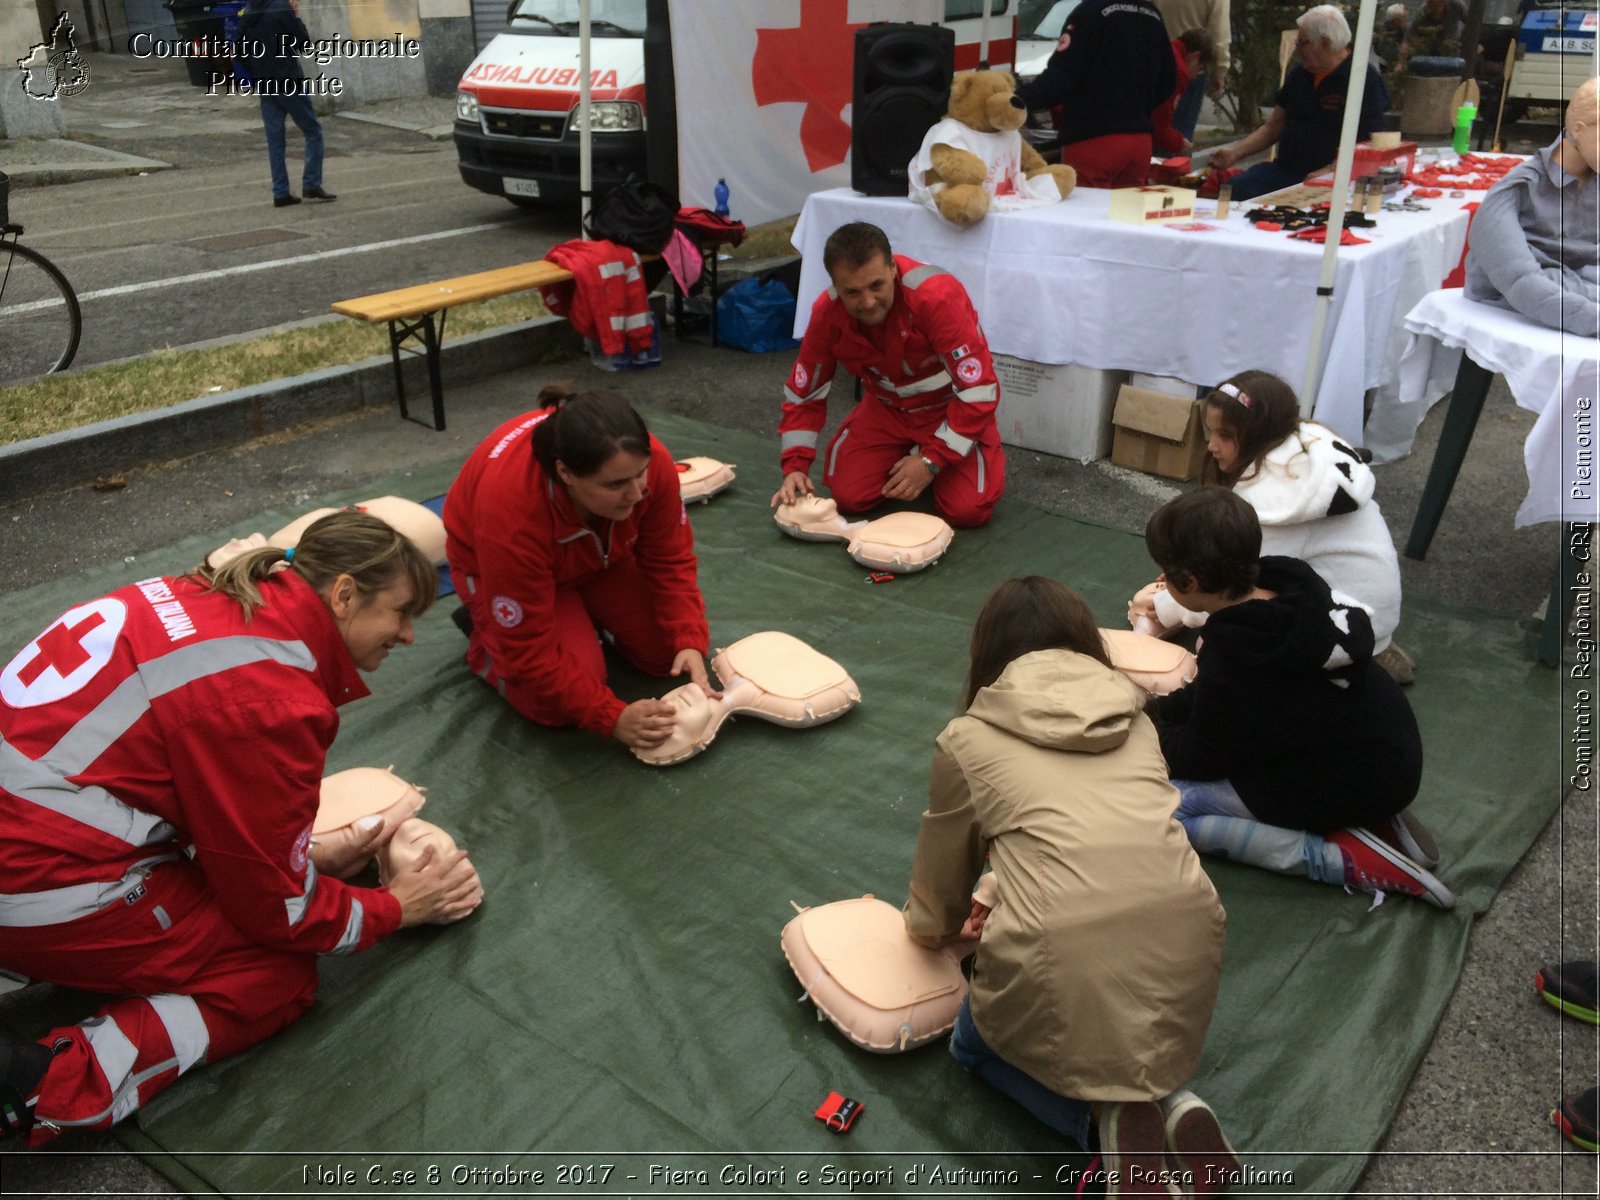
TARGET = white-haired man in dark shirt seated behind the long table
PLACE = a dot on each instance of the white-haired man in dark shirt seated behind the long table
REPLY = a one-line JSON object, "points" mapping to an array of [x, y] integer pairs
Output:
{"points": [[1310, 113]]}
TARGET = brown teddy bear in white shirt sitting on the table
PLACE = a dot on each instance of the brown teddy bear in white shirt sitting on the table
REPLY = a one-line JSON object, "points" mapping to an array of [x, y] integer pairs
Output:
{"points": [[975, 159]]}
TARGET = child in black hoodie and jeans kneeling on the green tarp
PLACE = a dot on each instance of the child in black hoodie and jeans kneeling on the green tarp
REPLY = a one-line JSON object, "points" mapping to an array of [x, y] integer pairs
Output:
{"points": [[1292, 750]]}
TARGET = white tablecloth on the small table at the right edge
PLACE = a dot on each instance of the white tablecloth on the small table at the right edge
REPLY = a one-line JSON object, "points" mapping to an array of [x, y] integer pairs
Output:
{"points": [[1550, 374]]}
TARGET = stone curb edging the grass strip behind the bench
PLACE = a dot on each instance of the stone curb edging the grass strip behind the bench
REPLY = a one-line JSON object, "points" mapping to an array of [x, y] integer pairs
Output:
{"points": [[76, 457]]}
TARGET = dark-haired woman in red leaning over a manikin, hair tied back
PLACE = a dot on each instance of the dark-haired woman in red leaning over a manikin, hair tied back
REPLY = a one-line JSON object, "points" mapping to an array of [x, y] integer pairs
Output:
{"points": [[564, 522]]}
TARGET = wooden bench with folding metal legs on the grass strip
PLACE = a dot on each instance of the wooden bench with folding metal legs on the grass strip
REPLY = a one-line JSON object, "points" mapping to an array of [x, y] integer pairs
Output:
{"points": [[420, 313]]}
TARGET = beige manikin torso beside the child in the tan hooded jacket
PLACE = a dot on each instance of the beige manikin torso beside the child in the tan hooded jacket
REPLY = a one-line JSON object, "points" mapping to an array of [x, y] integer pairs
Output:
{"points": [[868, 977]]}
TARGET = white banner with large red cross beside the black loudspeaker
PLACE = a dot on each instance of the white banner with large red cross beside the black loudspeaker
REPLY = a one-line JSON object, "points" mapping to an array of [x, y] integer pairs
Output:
{"points": [[764, 98]]}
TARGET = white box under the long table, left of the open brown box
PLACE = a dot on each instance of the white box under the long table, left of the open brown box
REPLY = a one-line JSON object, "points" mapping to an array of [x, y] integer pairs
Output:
{"points": [[1057, 409]]}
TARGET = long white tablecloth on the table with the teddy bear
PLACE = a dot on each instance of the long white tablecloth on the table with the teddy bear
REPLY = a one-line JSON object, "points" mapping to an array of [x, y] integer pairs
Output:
{"points": [[1065, 284]]}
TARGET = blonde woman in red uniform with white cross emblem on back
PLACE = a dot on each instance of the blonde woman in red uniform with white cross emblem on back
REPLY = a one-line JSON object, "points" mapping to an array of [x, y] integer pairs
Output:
{"points": [[161, 764]]}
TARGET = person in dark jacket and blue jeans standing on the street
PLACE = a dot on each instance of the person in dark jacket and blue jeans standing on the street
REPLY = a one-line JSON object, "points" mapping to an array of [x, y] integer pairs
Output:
{"points": [[271, 36]]}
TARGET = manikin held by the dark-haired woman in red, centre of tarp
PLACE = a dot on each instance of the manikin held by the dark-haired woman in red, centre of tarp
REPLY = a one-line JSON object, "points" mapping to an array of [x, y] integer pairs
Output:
{"points": [[770, 676]]}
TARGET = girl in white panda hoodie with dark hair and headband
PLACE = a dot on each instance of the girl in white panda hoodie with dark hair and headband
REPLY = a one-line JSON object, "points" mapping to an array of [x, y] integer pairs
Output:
{"points": [[1313, 497]]}
